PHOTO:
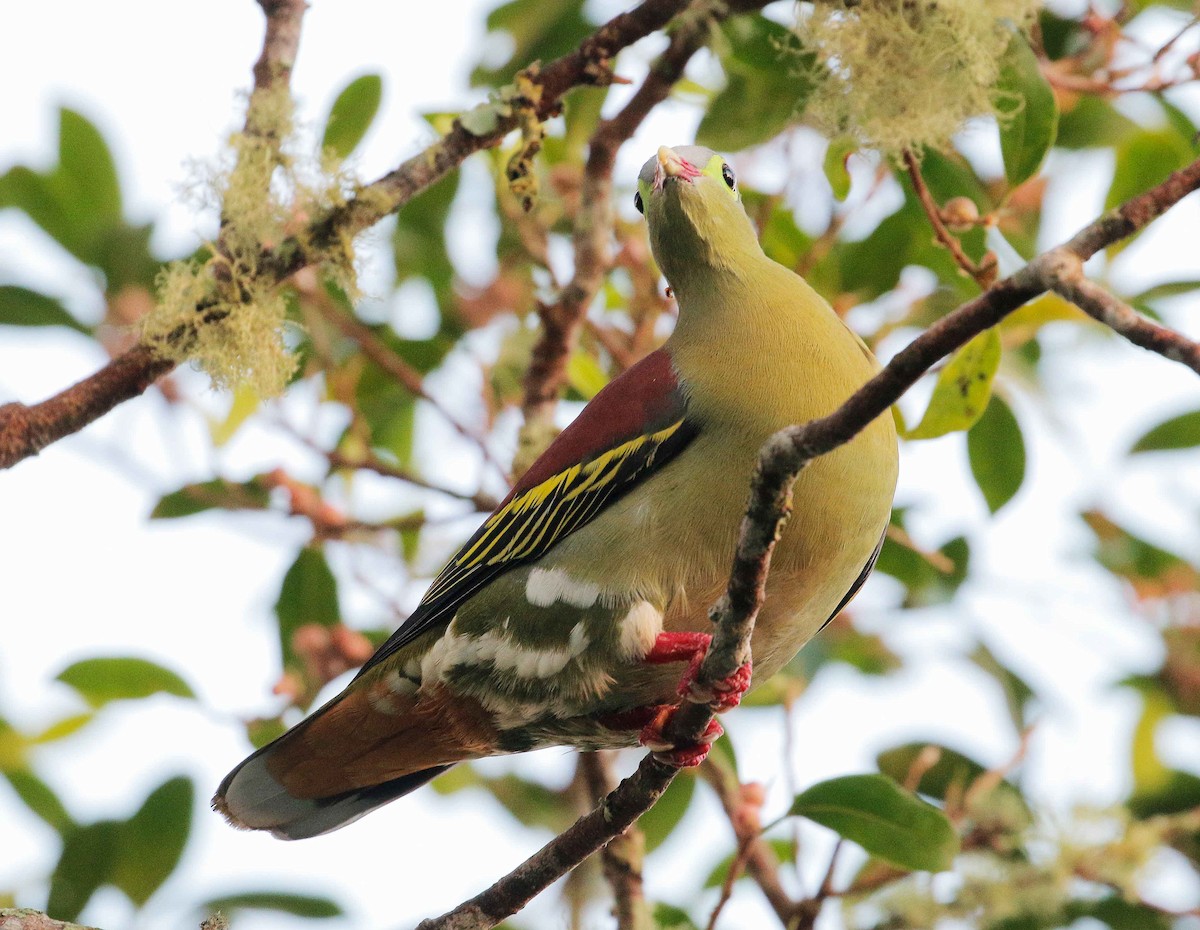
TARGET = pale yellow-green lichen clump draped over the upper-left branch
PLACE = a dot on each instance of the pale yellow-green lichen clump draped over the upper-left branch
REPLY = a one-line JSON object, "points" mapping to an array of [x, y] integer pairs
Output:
{"points": [[229, 316]]}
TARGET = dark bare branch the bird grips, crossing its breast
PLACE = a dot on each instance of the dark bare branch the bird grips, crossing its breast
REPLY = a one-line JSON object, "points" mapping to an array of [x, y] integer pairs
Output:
{"points": [[781, 461]]}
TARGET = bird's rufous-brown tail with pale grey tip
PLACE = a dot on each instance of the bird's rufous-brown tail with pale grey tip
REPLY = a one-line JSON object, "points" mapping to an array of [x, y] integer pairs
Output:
{"points": [[356, 754]]}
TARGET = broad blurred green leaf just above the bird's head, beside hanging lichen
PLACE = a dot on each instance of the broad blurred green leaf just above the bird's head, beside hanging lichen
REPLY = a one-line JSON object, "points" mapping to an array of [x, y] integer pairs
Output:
{"points": [[766, 88]]}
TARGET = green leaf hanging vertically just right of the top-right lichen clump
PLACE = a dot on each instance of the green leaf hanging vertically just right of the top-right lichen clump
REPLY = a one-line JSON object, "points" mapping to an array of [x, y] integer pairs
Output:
{"points": [[1028, 113]]}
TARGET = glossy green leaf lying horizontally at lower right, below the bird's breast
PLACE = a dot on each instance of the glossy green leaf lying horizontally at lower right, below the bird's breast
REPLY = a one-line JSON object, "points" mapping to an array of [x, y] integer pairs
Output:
{"points": [[884, 819]]}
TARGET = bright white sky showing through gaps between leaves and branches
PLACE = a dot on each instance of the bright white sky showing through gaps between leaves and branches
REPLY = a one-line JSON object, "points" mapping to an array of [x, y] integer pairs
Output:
{"points": [[85, 573]]}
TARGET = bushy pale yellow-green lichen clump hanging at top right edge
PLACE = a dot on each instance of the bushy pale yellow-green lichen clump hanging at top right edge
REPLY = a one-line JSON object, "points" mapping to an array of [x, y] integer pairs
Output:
{"points": [[908, 74]]}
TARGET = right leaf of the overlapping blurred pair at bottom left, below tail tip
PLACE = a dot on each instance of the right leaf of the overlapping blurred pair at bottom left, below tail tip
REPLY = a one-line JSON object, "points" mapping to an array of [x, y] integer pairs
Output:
{"points": [[153, 841]]}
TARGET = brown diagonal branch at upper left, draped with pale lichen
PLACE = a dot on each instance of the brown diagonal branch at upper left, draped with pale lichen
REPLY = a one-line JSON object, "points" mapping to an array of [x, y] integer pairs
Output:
{"points": [[27, 430]]}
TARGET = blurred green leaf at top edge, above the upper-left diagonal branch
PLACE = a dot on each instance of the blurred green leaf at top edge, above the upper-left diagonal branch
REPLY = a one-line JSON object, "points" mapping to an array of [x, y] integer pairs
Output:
{"points": [[542, 31]]}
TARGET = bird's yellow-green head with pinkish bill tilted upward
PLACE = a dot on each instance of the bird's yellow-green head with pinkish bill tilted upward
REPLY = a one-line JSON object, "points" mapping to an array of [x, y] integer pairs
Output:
{"points": [[691, 199]]}
